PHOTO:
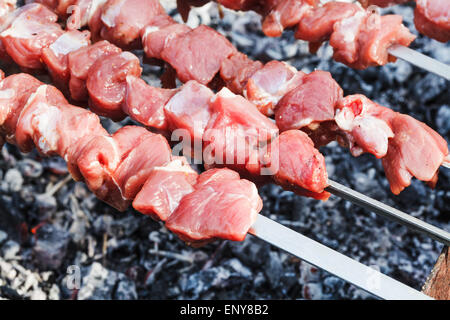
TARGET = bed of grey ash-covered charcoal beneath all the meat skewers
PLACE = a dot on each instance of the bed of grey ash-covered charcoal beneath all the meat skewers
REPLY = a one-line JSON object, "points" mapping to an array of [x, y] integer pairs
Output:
{"points": [[55, 235]]}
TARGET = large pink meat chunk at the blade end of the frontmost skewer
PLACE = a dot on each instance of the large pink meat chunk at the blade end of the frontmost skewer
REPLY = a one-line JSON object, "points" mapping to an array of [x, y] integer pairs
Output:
{"points": [[219, 209]]}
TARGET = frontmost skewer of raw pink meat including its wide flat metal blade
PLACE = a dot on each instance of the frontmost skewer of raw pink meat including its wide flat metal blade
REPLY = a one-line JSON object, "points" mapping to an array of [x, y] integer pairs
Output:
{"points": [[35, 114]]}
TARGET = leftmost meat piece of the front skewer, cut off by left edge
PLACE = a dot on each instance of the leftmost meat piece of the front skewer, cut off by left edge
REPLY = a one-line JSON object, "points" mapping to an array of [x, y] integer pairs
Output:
{"points": [[15, 91]]}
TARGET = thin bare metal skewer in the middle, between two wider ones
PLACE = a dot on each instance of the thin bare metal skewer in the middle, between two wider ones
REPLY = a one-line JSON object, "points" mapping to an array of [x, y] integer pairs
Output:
{"points": [[388, 212]]}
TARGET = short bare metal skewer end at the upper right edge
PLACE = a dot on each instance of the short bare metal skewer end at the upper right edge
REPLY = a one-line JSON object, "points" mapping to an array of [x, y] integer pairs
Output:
{"points": [[420, 60]]}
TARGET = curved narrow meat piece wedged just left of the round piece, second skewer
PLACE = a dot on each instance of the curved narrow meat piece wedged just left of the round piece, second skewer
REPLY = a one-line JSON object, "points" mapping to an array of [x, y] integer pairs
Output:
{"points": [[80, 63]]}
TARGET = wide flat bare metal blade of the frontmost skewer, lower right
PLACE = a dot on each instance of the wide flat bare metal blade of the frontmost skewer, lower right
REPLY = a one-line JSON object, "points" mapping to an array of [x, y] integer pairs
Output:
{"points": [[313, 252]]}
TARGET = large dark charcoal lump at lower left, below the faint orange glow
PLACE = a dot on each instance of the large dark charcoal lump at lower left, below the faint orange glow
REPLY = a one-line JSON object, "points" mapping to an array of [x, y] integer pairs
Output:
{"points": [[50, 246]]}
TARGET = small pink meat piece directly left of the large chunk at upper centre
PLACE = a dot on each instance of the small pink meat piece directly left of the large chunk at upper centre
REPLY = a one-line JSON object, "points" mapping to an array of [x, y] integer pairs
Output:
{"points": [[158, 34]]}
